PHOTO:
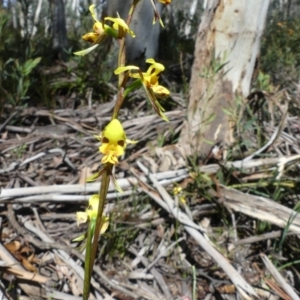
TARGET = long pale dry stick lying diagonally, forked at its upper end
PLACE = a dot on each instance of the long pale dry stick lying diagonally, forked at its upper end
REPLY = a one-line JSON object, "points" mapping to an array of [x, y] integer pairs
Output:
{"points": [[168, 204]]}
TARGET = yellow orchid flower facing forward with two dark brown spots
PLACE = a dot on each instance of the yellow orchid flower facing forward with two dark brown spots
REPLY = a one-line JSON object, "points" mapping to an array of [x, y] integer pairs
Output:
{"points": [[113, 142]]}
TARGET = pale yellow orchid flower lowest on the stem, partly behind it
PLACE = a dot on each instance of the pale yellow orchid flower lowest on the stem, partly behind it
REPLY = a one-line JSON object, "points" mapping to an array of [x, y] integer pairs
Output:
{"points": [[91, 214]]}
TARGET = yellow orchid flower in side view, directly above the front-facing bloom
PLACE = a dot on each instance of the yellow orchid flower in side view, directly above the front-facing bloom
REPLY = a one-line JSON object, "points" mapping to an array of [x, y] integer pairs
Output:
{"points": [[150, 83]]}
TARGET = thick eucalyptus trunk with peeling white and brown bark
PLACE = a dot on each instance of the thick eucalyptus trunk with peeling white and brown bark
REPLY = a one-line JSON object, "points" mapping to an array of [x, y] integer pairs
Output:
{"points": [[227, 46]]}
